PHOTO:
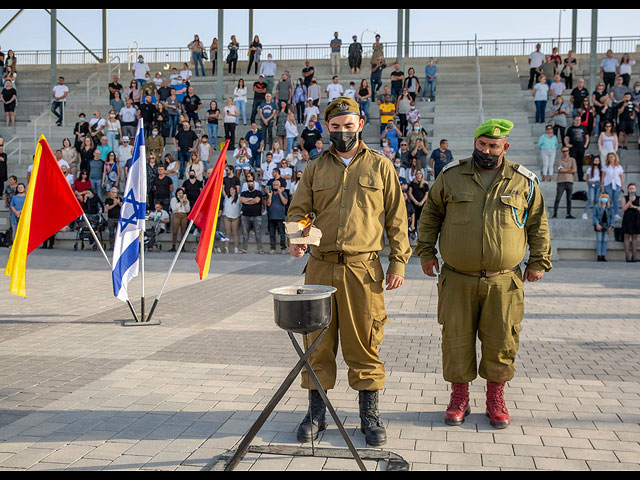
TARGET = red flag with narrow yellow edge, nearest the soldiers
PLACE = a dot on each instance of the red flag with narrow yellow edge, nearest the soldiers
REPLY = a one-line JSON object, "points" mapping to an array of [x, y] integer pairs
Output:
{"points": [[205, 213]]}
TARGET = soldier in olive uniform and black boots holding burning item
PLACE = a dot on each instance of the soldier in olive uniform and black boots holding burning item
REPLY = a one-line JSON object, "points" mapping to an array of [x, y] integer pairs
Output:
{"points": [[356, 196]]}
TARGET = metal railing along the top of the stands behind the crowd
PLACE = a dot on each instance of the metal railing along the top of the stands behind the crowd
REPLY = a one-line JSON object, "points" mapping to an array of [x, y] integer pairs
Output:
{"points": [[422, 49]]}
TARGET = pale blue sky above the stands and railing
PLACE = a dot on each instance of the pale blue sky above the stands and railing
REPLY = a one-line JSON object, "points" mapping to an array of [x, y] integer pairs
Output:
{"points": [[175, 28]]}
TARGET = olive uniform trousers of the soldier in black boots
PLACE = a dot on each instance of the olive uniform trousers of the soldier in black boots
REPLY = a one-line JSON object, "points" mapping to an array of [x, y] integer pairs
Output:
{"points": [[358, 318]]}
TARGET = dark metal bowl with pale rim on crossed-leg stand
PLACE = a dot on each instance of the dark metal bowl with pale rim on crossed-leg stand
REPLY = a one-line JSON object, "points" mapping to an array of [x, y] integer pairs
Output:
{"points": [[302, 308]]}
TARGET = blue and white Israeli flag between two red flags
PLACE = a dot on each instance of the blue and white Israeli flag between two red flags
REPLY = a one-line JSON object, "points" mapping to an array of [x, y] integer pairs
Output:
{"points": [[126, 251]]}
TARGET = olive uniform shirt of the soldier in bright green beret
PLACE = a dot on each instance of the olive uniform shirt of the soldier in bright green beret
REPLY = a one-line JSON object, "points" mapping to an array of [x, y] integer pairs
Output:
{"points": [[476, 225]]}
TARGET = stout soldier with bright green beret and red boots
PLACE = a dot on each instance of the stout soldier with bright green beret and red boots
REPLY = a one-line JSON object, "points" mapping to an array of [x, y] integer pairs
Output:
{"points": [[485, 209]]}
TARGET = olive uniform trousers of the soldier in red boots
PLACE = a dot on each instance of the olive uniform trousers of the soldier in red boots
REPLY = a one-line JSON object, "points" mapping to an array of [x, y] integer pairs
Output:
{"points": [[490, 308]]}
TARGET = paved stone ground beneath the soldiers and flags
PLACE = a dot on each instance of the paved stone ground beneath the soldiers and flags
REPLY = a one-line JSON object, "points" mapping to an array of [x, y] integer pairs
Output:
{"points": [[78, 391]]}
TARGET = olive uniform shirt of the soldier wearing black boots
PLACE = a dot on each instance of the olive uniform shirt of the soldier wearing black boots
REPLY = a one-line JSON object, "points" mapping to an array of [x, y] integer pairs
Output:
{"points": [[354, 205]]}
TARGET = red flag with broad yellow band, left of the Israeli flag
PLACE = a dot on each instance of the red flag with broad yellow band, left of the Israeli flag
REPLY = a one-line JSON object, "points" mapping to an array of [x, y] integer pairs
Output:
{"points": [[49, 205]]}
